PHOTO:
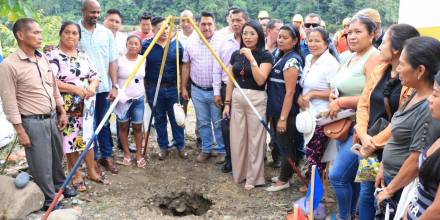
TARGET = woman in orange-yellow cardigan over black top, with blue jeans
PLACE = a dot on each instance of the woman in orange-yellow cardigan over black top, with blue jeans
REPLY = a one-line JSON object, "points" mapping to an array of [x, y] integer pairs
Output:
{"points": [[382, 96]]}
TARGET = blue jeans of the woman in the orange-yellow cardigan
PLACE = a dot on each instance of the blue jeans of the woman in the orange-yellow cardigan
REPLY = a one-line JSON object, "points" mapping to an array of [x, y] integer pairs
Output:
{"points": [[367, 207]]}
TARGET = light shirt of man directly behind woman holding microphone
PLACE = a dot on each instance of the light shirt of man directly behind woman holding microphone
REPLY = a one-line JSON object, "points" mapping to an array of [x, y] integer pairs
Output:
{"points": [[224, 51]]}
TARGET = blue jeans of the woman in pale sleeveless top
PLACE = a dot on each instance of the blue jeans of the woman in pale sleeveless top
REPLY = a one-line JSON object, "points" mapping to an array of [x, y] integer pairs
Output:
{"points": [[342, 175]]}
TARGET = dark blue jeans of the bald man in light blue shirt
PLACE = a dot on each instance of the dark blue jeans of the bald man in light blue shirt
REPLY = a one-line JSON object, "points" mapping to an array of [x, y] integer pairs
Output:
{"points": [[105, 143]]}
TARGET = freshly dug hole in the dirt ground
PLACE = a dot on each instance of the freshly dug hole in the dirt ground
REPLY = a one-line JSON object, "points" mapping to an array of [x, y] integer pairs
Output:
{"points": [[183, 204]]}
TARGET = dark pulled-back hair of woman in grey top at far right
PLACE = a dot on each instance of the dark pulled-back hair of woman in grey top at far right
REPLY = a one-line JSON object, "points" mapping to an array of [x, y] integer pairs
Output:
{"points": [[424, 51]]}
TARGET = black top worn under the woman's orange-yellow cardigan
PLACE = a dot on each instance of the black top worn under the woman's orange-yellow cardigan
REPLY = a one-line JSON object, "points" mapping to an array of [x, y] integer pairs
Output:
{"points": [[385, 87]]}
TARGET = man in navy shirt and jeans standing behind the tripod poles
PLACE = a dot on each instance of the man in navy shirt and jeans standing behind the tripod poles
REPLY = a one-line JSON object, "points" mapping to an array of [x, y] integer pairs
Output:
{"points": [[168, 89]]}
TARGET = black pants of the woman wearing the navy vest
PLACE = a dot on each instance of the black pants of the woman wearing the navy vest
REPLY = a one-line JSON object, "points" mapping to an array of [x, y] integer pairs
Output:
{"points": [[288, 144]]}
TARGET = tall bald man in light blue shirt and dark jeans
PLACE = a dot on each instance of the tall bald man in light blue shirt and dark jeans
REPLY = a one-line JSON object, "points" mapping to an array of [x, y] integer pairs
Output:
{"points": [[98, 42]]}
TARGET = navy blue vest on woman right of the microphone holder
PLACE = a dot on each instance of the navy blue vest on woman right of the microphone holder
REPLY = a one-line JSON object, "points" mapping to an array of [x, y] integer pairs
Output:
{"points": [[276, 89]]}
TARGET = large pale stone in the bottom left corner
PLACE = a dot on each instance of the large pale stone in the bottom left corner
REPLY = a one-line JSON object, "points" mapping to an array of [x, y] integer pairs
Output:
{"points": [[18, 203]]}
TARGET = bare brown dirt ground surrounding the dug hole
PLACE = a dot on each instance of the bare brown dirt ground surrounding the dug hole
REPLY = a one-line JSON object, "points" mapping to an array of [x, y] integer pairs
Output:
{"points": [[137, 193]]}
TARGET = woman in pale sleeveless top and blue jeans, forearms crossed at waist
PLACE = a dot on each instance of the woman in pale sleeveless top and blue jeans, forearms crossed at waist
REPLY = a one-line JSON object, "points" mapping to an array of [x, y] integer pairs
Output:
{"points": [[348, 83]]}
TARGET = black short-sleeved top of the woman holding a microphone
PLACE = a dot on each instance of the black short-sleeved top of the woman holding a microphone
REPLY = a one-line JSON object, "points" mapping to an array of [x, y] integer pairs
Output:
{"points": [[241, 68]]}
